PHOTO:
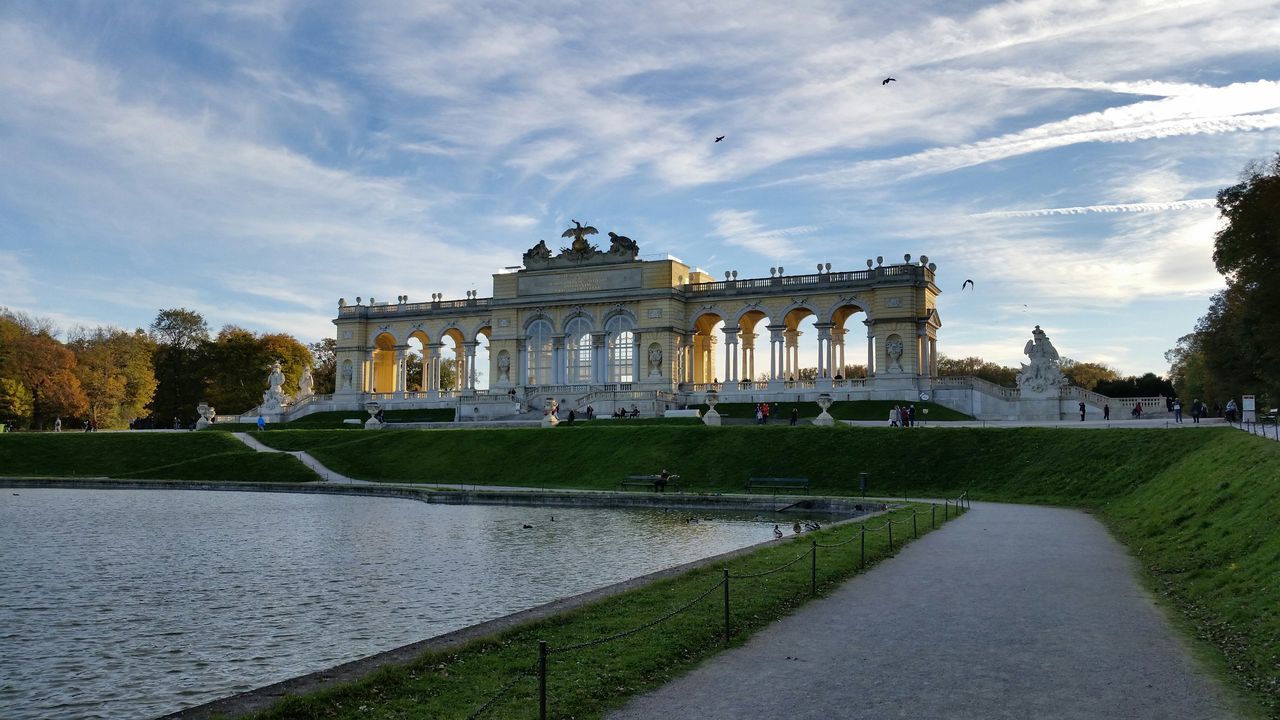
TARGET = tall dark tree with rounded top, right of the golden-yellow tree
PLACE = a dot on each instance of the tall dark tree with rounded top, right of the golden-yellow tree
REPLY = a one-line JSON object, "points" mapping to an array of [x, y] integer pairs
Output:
{"points": [[180, 358]]}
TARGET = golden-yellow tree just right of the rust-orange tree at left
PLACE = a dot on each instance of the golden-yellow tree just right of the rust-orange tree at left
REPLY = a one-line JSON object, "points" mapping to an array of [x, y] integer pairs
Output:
{"points": [[115, 370]]}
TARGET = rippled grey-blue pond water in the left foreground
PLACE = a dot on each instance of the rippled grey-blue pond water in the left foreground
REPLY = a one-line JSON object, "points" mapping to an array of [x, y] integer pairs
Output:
{"points": [[135, 604]]}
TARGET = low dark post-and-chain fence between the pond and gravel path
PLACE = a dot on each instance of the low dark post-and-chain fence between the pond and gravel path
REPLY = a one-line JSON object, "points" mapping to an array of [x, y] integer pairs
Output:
{"points": [[952, 508]]}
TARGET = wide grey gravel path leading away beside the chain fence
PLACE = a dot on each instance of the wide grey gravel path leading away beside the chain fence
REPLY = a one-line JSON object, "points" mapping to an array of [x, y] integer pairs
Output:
{"points": [[1012, 612]]}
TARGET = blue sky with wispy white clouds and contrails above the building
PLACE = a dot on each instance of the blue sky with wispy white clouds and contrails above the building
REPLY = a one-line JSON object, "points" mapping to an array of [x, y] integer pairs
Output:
{"points": [[257, 161]]}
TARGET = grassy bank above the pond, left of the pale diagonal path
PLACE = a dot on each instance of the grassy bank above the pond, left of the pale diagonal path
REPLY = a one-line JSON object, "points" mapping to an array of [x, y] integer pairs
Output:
{"points": [[177, 457]]}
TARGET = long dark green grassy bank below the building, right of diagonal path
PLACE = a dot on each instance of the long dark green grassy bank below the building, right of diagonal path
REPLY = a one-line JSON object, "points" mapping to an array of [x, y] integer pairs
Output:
{"points": [[1068, 467]]}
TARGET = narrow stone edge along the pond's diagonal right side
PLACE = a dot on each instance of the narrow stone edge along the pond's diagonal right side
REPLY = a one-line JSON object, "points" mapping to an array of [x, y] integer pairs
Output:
{"points": [[264, 698]]}
